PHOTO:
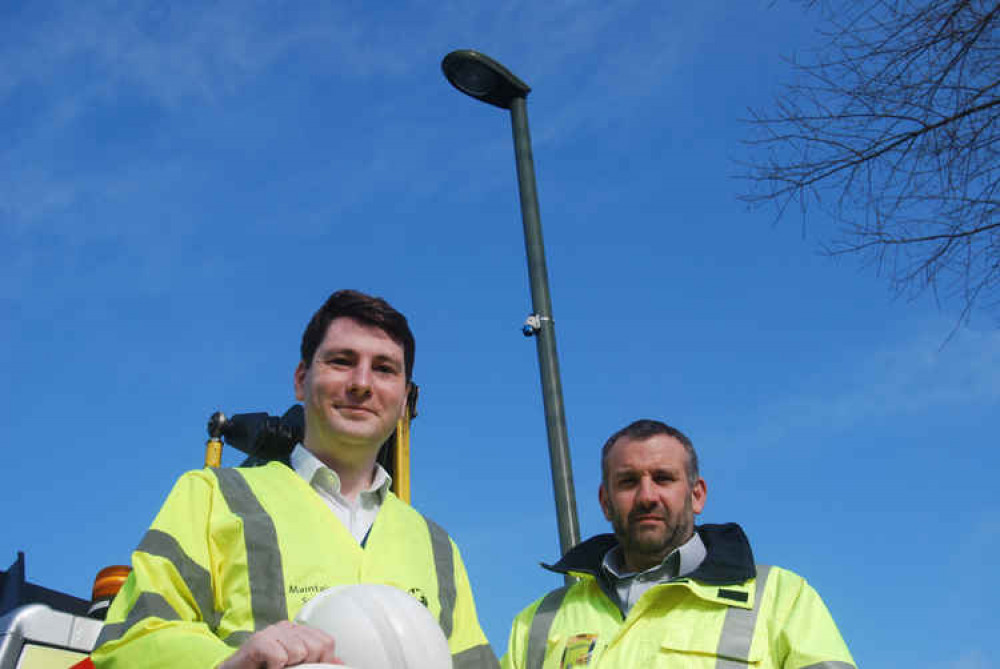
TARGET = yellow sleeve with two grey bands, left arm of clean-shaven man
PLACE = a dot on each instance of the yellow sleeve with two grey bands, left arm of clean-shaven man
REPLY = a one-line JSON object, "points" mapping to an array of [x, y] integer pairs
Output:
{"points": [[164, 615]]}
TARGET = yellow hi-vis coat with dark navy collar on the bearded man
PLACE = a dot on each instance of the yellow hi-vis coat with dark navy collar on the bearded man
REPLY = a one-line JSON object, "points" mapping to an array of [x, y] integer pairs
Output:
{"points": [[727, 614]]}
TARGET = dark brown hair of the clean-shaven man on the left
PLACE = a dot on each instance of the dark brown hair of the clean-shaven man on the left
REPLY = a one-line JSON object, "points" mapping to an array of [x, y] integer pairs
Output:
{"points": [[363, 308]]}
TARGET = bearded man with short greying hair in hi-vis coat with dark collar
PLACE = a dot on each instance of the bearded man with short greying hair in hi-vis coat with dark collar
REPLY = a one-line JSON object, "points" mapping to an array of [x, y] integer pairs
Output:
{"points": [[661, 591]]}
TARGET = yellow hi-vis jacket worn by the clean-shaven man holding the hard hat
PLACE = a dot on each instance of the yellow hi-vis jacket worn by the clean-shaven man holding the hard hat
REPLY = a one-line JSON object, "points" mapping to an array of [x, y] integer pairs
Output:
{"points": [[233, 551]]}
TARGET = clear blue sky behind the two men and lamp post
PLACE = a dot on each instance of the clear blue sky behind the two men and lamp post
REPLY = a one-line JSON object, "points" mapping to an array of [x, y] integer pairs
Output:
{"points": [[182, 184]]}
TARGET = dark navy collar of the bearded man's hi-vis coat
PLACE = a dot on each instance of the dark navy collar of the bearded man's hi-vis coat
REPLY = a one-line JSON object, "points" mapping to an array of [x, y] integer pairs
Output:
{"points": [[728, 560]]}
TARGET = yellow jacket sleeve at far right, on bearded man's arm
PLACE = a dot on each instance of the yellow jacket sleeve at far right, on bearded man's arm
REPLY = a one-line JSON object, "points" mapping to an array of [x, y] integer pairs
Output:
{"points": [[805, 634]]}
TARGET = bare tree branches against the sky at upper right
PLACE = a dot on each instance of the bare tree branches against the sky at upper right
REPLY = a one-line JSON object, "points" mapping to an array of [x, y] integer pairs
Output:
{"points": [[897, 115]]}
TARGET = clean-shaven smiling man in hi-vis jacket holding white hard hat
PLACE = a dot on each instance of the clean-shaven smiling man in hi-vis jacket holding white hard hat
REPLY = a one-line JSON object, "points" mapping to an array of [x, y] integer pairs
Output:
{"points": [[235, 553]]}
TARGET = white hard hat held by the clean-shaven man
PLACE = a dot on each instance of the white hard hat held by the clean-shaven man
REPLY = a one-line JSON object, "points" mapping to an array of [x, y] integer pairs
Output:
{"points": [[378, 626]]}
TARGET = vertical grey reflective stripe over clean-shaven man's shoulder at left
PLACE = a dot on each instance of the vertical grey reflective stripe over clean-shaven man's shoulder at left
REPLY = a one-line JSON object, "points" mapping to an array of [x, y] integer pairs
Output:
{"points": [[264, 570]]}
